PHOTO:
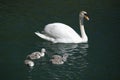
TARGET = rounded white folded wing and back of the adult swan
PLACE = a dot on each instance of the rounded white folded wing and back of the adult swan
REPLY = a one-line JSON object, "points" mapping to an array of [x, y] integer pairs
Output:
{"points": [[61, 31]]}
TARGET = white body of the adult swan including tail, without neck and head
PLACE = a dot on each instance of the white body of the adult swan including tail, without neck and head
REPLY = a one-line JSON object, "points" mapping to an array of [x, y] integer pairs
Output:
{"points": [[59, 32]]}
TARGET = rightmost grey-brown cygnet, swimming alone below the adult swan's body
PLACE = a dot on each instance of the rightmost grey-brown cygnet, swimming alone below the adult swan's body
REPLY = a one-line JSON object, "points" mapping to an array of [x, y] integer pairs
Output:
{"points": [[57, 59]]}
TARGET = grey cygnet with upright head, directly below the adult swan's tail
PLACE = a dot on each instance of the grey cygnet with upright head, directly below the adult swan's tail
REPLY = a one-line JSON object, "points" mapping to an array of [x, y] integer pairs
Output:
{"points": [[37, 54]]}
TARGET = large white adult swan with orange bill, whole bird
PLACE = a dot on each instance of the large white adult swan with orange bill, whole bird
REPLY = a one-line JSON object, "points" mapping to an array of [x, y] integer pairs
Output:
{"points": [[62, 33]]}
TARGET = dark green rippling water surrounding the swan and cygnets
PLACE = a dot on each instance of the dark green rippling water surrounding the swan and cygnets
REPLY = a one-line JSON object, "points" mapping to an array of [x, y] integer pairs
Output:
{"points": [[96, 60]]}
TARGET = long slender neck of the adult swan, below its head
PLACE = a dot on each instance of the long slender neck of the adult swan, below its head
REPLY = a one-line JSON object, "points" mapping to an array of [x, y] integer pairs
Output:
{"points": [[82, 29]]}
